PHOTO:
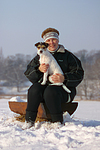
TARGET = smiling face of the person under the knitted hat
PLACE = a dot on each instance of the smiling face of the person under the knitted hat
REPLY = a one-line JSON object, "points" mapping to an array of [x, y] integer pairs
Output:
{"points": [[53, 44]]}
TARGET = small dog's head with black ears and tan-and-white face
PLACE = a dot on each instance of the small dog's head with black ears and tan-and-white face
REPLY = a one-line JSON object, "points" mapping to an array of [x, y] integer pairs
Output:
{"points": [[41, 46]]}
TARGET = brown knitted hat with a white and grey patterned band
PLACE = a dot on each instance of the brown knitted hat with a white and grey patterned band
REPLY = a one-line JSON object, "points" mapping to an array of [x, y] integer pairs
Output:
{"points": [[50, 33]]}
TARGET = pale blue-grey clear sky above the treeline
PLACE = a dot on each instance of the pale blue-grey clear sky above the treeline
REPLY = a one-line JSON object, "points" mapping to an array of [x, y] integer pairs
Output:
{"points": [[22, 22]]}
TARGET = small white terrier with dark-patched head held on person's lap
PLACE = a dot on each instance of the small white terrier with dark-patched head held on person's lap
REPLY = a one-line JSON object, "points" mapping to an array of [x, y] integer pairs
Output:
{"points": [[47, 58]]}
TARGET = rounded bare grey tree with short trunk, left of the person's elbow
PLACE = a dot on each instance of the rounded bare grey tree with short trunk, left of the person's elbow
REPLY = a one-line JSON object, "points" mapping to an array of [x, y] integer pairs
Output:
{"points": [[14, 70]]}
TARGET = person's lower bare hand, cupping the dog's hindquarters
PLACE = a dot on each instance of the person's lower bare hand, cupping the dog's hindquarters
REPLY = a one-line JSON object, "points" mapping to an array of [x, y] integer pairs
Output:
{"points": [[58, 78]]}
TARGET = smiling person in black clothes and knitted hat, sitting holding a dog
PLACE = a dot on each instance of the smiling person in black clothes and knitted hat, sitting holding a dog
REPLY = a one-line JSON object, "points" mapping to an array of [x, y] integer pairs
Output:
{"points": [[53, 96]]}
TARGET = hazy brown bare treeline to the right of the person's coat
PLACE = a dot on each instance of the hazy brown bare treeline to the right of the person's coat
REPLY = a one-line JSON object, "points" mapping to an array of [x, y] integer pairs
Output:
{"points": [[90, 87]]}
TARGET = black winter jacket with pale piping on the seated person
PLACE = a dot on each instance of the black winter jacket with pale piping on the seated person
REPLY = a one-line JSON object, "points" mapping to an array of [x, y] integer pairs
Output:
{"points": [[69, 63]]}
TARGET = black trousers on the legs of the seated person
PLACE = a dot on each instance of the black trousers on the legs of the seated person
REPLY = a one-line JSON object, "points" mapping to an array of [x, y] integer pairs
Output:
{"points": [[52, 95]]}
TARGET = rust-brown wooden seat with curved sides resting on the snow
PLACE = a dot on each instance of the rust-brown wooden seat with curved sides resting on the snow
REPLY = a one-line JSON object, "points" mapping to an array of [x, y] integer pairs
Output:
{"points": [[43, 112]]}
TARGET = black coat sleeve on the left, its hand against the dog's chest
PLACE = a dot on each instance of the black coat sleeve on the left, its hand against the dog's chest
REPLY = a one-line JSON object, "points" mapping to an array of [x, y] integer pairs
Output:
{"points": [[32, 72]]}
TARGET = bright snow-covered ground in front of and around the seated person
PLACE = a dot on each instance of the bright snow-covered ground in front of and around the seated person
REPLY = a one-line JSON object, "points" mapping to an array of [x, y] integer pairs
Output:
{"points": [[81, 132]]}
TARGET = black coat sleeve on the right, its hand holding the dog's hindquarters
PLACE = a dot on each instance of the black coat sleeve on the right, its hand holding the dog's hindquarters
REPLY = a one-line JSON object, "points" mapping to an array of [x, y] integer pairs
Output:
{"points": [[75, 72]]}
